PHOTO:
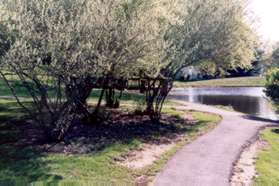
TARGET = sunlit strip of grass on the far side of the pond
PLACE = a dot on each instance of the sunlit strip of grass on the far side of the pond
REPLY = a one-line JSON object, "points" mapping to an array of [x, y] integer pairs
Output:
{"points": [[226, 82]]}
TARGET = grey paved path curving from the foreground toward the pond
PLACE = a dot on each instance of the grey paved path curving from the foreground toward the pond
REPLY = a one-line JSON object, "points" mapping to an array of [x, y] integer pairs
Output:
{"points": [[208, 161]]}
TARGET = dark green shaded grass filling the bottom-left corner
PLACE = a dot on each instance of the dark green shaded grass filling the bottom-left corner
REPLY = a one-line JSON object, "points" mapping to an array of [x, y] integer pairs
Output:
{"points": [[23, 165]]}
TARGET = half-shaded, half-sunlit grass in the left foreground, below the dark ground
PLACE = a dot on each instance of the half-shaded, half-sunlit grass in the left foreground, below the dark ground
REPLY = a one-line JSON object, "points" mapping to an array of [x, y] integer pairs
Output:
{"points": [[31, 166]]}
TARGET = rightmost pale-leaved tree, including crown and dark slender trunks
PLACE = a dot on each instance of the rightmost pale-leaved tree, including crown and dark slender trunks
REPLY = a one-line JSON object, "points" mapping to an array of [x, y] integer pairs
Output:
{"points": [[202, 30]]}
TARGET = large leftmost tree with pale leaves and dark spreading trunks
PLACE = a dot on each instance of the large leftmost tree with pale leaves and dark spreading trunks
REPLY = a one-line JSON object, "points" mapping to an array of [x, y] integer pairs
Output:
{"points": [[63, 49]]}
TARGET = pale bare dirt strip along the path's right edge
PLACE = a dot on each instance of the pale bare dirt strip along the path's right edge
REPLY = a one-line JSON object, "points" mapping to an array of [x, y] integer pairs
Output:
{"points": [[244, 171]]}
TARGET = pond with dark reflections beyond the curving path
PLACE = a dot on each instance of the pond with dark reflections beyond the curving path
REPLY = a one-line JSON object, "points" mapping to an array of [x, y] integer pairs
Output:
{"points": [[248, 100]]}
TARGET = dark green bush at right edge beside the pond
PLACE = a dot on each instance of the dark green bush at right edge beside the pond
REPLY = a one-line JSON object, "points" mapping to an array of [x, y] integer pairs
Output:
{"points": [[272, 84]]}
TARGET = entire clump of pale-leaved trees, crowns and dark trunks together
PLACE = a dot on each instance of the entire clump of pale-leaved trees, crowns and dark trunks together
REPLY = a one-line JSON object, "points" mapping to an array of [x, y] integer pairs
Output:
{"points": [[61, 50]]}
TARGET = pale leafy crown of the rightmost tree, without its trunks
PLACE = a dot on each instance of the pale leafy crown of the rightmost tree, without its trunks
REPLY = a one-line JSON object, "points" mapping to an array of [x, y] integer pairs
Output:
{"points": [[215, 31]]}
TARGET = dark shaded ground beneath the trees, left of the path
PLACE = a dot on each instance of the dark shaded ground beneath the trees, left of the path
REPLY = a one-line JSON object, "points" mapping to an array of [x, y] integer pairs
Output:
{"points": [[122, 128]]}
